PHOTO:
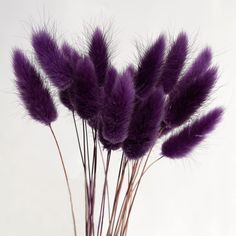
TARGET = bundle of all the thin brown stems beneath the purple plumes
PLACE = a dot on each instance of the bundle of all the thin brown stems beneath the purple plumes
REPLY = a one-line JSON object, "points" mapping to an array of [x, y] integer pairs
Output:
{"points": [[114, 208]]}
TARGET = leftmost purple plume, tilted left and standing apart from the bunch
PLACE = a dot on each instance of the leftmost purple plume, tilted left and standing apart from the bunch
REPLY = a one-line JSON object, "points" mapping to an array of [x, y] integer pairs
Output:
{"points": [[36, 98]]}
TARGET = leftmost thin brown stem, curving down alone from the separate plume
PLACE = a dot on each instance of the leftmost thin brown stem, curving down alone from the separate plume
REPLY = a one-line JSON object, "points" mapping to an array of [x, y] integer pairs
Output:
{"points": [[66, 178]]}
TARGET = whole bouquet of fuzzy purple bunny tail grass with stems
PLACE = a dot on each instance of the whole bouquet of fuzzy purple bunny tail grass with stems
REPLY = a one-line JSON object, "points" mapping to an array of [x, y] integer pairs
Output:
{"points": [[128, 111]]}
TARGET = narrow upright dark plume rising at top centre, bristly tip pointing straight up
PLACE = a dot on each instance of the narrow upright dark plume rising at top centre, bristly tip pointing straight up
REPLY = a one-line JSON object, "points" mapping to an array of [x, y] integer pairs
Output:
{"points": [[98, 52]]}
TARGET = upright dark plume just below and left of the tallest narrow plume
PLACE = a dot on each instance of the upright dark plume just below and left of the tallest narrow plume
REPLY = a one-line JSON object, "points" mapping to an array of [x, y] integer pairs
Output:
{"points": [[86, 94]]}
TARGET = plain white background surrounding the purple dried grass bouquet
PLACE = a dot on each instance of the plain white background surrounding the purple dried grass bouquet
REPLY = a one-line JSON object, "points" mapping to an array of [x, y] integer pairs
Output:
{"points": [[190, 197]]}
